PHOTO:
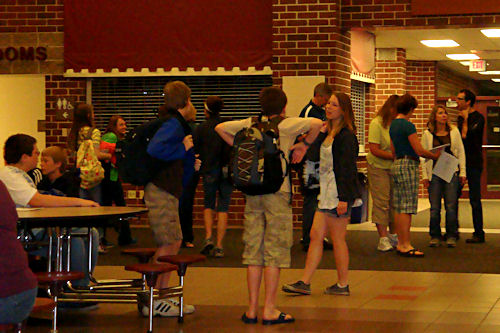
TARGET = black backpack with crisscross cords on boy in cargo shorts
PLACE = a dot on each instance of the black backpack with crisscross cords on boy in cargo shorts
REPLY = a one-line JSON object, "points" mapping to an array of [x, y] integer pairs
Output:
{"points": [[256, 160]]}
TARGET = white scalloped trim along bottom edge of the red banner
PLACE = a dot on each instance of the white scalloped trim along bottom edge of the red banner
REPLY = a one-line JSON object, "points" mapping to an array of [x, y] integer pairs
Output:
{"points": [[205, 71]]}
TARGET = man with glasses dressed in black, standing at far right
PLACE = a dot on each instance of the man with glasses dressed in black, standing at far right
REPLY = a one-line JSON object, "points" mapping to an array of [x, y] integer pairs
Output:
{"points": [[471, 126]]}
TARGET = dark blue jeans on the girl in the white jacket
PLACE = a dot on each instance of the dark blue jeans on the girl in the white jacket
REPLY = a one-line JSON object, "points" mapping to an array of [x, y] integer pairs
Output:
{"points": [[438, 189]]}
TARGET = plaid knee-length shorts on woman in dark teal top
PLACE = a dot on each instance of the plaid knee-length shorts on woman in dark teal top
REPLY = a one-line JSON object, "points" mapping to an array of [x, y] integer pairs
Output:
{"points": [[405, 191]]}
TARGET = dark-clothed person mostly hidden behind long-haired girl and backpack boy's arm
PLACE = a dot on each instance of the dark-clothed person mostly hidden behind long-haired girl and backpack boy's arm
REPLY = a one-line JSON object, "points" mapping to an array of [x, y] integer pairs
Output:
{"points": [[310, 167]]}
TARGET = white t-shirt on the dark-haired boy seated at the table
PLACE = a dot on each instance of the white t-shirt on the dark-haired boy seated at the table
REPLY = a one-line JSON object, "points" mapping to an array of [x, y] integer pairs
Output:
{"points": [[20, 186]]}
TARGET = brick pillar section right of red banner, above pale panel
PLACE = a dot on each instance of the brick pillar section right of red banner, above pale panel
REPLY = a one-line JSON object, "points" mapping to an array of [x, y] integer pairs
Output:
{"points": [[307, 41]]}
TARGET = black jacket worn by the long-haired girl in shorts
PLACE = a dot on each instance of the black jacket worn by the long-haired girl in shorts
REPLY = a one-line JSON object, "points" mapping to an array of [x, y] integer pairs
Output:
{"points": [[345, 150]]}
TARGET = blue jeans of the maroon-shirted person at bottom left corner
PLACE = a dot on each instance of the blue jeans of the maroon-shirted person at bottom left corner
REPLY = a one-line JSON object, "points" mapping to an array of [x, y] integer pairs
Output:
{"points": [[16, 308]]}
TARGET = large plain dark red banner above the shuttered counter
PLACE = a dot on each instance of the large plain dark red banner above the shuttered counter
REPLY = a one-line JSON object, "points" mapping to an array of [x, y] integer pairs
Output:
{"points": [[167, 33]]}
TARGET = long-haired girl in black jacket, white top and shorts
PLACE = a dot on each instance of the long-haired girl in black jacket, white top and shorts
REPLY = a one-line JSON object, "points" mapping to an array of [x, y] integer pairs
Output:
{"points": [[339, 192]]}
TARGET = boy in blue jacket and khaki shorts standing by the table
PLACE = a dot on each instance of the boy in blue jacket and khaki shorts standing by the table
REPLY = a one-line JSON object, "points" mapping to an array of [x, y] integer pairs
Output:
{"points": [[172, 144]]}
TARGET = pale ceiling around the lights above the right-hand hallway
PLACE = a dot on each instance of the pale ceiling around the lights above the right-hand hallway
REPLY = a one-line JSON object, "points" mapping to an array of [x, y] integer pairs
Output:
{"points": [[469, 39]]}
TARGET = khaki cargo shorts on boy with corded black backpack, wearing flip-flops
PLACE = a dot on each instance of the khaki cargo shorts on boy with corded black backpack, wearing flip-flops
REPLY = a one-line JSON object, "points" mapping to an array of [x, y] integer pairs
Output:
{"points": [[268, 230]]}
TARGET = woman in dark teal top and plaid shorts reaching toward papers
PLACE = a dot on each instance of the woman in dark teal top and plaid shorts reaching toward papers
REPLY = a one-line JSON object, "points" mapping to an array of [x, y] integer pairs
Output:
{"points": [[406, 148]]}
